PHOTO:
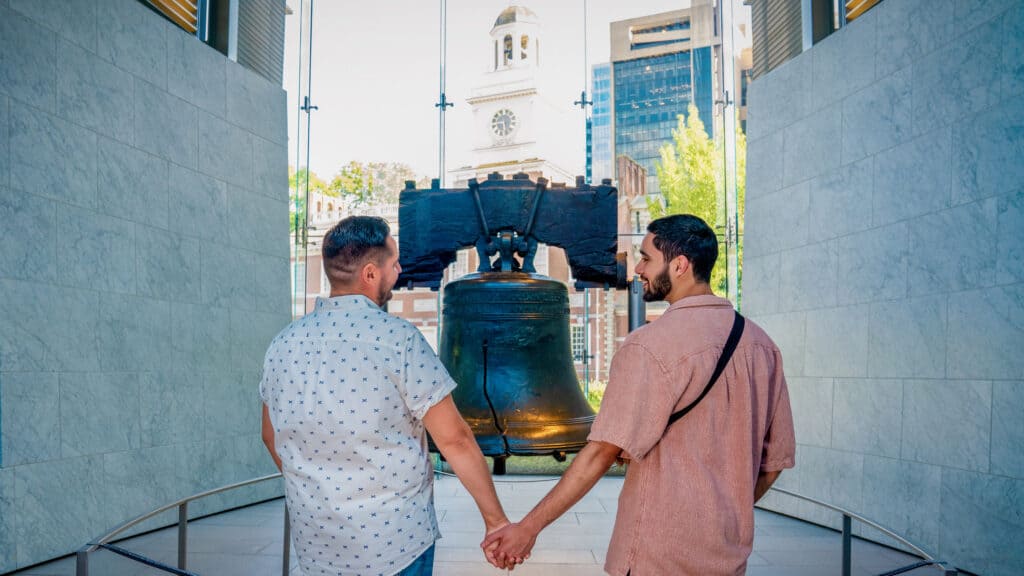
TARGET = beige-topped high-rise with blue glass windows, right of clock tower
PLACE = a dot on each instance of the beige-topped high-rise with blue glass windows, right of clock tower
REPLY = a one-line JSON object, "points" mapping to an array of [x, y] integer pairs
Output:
{"points": [[660, 65]]}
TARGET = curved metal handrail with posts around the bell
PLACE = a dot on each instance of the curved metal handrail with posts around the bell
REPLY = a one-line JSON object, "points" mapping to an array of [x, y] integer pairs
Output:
{"points": [[82, 556]]}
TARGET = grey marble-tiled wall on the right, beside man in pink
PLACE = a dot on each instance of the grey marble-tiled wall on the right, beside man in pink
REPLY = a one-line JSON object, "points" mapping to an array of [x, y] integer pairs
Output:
{"points": [[885, 256]]}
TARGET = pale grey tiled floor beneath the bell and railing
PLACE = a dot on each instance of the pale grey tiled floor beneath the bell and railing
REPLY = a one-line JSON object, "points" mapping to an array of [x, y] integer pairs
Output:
{"points": [[248, 542]]}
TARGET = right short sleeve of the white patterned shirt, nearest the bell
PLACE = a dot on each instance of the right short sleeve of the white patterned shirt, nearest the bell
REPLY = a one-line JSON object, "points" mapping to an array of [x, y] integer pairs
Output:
{"points": [[425, 380]]}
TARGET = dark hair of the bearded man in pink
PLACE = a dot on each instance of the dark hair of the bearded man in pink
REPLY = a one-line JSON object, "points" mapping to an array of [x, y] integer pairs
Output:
{"points": [[689, 236]]}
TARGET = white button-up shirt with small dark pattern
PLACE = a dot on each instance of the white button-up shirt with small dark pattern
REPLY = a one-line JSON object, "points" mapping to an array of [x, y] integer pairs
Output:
{"points": [[347, 388]]}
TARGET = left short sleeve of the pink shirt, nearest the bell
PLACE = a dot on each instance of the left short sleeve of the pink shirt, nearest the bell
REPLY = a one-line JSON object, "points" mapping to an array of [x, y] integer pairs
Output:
{"points": [[637, 403]]}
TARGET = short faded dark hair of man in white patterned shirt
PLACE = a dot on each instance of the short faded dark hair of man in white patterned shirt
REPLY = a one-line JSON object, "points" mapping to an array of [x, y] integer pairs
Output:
{"points": [[352, 243]]}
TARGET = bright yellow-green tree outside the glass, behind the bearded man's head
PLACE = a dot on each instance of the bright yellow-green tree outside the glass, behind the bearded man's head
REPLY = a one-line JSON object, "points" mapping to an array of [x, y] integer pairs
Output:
{"points": [[692, 176]]}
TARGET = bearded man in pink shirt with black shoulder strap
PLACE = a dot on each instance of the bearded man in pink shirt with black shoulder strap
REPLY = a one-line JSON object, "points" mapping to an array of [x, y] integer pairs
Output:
{"points": [[688, 502]]}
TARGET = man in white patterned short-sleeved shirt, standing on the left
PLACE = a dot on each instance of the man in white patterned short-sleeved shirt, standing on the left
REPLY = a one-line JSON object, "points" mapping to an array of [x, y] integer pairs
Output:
{"points": [[348, 392]]}
